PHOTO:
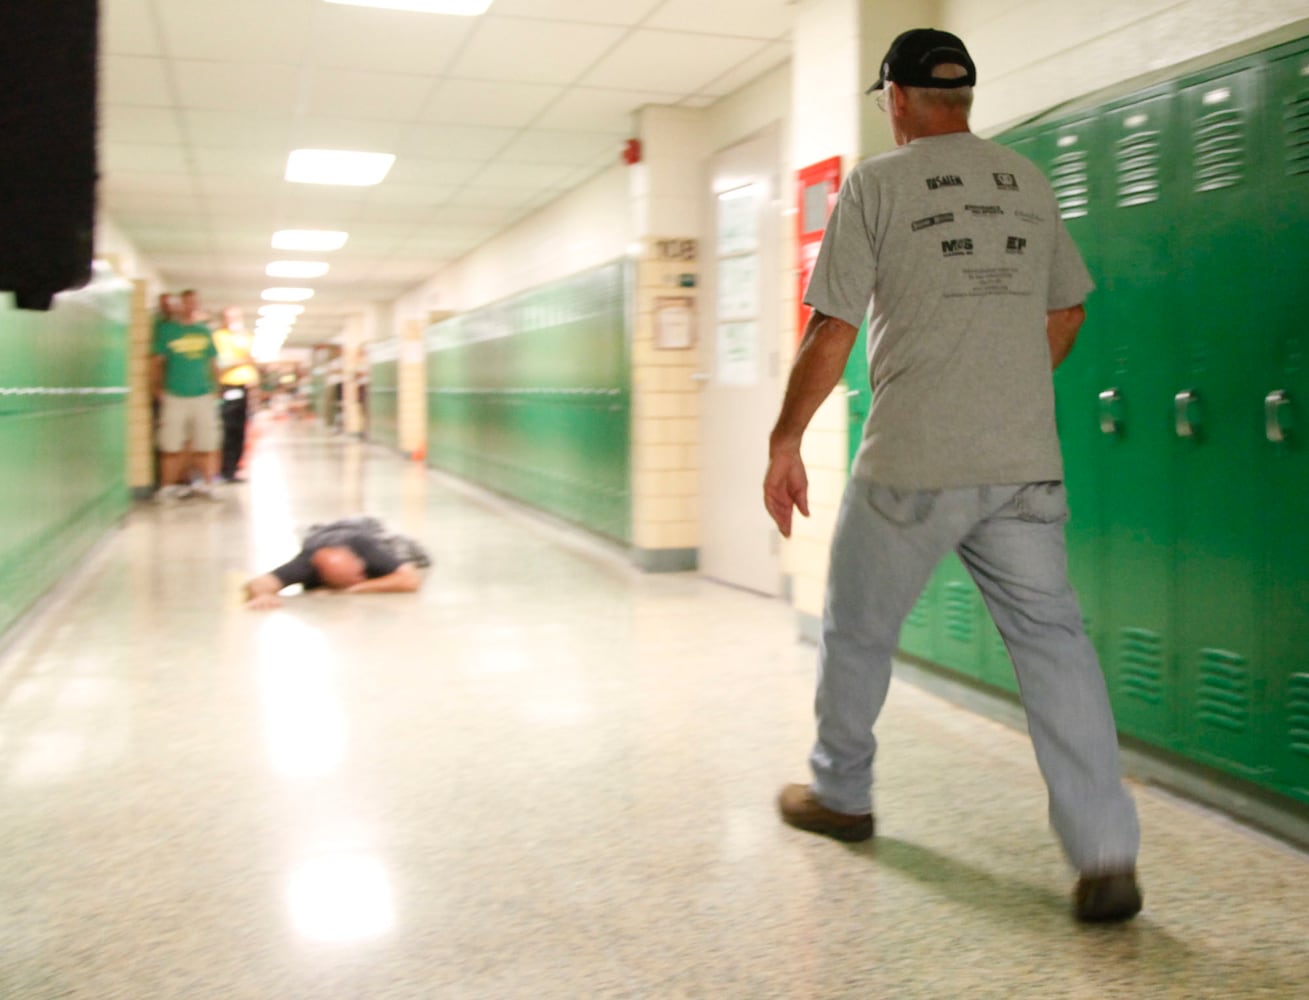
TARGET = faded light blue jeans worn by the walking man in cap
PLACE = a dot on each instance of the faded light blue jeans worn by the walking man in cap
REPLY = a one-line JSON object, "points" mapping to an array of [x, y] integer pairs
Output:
{"points": [[1013, 541]]}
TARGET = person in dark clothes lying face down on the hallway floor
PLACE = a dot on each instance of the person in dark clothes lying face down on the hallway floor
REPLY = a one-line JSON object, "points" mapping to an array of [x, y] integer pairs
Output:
{"points": [[355, 556]]}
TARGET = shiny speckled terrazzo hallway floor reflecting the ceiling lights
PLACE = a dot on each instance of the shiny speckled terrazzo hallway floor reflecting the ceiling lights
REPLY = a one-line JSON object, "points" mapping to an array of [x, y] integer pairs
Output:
{"points": [[543, 777]]}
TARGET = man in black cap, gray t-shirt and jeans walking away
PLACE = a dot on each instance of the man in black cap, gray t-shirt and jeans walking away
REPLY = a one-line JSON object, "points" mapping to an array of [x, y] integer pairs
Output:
{"points": [[955, 249]]}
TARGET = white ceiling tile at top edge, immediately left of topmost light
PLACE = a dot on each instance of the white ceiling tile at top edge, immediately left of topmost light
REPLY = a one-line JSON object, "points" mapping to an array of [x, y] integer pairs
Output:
{"points": [[261, 32]]}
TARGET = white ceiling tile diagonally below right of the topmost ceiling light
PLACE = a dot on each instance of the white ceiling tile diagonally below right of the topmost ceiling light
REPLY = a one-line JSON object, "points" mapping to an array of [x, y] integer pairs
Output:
{"points": [[533, 52]]}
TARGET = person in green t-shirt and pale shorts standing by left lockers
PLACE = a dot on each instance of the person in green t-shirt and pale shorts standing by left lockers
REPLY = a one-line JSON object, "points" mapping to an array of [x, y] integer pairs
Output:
{"points": [[184, 378]]}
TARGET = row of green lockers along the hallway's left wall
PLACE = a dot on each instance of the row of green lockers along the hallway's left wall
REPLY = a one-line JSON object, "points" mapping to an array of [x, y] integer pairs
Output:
{"points": [[63, 437]]}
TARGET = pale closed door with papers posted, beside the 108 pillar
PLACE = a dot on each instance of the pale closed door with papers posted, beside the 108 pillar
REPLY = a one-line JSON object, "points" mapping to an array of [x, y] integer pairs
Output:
{"points": [[742, 311]]}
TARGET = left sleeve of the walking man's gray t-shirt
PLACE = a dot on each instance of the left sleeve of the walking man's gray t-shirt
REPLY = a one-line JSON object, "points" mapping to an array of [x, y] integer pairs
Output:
{"points": [[846, 270]]}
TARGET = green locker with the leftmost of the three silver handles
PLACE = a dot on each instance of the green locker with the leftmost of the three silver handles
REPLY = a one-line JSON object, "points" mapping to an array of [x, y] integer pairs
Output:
{"points": [[1137, 333]]}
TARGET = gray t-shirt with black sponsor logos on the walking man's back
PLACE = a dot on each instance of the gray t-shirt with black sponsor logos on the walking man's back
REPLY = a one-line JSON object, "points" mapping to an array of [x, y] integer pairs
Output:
{"points": [[956, 247]]}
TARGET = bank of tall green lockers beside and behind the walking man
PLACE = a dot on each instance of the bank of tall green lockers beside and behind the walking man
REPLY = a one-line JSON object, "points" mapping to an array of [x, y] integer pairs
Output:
{"points": [[1183, 414]]}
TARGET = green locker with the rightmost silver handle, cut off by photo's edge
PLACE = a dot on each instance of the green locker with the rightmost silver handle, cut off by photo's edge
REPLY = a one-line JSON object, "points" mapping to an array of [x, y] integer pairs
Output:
{"points": [[1285, 409]]}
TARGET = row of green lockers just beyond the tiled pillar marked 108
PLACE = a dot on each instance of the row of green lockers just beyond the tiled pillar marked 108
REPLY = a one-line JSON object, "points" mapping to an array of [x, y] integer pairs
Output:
{"points": [[532, 397]]}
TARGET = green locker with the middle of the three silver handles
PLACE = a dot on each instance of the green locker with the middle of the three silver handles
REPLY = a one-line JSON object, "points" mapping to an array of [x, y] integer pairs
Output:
{"points": [[1218, 421]]}
